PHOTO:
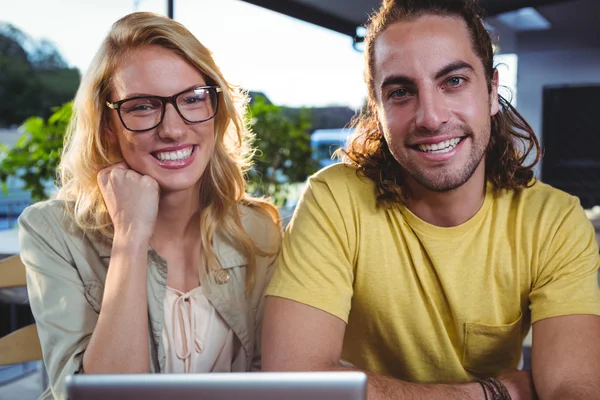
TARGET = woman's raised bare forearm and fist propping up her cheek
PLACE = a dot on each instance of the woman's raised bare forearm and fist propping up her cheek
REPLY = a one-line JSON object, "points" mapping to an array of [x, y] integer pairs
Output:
{"points": [[119, 343]]}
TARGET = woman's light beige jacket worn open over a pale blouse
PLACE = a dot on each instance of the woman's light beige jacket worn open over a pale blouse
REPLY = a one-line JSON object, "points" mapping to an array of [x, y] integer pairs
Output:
{"points": [[66, 271]]}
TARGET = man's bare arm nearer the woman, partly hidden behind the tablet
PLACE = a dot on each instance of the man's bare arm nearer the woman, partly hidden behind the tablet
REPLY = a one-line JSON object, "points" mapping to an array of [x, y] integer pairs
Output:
{"points": [[298, 337]]}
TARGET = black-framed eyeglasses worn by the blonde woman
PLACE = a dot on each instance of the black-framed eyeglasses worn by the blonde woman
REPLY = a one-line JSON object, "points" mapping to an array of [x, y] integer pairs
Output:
{"points": [[143, 113]]}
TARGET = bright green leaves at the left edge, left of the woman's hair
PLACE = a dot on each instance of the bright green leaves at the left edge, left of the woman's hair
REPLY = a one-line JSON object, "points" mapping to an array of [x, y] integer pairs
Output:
{"points": [[36, 155]]}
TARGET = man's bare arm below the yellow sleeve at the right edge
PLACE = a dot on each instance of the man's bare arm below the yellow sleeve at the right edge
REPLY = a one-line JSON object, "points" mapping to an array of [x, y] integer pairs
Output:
{"points": [[566, 357]]}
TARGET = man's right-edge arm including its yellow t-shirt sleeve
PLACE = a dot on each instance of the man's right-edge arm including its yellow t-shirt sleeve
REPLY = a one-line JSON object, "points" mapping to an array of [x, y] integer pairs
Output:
{"points": [[565, 305]]}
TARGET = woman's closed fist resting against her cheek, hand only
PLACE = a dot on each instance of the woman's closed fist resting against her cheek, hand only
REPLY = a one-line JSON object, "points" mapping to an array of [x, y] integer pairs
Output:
{"points": [[131, 200]]}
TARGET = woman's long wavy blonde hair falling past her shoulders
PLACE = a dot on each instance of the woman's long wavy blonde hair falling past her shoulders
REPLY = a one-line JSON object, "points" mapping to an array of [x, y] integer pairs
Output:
{"points": [[87, 149]]}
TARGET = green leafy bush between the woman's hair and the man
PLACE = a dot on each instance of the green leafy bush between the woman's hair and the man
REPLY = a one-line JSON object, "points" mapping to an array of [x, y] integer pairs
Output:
{"points": [[284, 152]]}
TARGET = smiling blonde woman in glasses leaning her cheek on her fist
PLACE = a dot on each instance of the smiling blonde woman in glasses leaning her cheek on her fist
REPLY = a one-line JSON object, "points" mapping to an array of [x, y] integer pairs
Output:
{"points": [[152, 258]]}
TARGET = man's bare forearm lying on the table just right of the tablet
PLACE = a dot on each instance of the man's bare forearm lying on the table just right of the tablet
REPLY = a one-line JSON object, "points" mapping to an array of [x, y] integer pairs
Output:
{"points": [[384, 388]]}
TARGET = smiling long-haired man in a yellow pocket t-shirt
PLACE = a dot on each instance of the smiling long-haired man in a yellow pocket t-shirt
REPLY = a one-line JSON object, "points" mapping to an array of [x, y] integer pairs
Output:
{"points": [[425, 258]]}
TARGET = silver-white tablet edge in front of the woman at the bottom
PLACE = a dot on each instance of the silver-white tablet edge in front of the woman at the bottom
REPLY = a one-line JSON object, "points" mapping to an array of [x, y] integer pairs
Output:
{"points": [[221, 386]]}
